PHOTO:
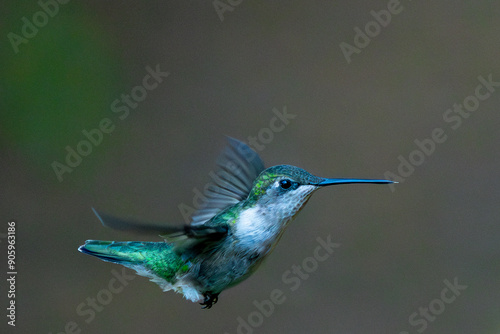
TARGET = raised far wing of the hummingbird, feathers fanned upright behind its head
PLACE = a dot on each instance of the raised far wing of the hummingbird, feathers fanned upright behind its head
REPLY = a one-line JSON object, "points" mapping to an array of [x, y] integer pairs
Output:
{"points": [[238, 167]]}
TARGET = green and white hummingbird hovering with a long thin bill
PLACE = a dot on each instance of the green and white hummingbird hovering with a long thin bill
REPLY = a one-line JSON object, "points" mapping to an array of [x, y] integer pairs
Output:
{"points": [[243, 216]]}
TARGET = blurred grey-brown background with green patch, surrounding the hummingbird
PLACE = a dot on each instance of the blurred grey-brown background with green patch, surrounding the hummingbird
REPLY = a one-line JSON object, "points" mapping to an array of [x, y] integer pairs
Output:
{"points": [[352, 120]]}
